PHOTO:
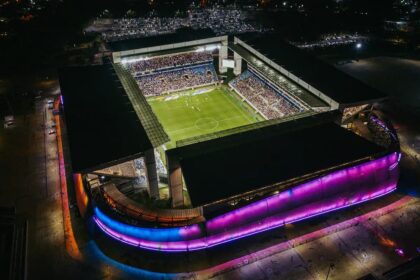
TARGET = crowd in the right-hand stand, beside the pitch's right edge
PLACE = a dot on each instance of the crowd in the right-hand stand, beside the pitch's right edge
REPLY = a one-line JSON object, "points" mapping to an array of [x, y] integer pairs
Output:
{"points": [[269, 101]]}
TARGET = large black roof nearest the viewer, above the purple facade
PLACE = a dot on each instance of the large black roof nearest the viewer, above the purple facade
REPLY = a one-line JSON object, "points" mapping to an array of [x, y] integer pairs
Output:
{"points": [[230, 166]]}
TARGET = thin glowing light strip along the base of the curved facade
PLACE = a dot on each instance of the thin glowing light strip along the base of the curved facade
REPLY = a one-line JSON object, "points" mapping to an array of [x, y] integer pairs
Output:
{"points": [[185, 245]]}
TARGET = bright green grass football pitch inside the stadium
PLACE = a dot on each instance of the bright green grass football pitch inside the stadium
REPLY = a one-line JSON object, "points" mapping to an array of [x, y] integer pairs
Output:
{"points": [[201, 111]]}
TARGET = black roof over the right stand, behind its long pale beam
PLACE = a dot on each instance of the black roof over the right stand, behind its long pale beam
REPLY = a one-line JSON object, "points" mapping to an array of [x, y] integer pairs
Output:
{"points": [[339, 86]]}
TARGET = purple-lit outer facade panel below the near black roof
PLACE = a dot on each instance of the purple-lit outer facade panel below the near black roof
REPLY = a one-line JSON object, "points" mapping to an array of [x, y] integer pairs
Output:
{"points": [[351, 180]]}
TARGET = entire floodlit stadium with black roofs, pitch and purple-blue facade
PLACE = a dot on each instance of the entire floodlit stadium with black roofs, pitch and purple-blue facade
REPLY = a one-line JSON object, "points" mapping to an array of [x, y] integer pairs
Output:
{"points": [[182, 143]]}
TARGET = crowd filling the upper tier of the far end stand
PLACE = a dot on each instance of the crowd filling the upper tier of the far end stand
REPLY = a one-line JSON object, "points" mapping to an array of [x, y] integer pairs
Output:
{"points": [[164, 62]]}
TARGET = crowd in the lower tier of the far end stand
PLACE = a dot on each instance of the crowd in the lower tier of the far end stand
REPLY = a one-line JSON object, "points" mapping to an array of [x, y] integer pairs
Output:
{"points": [[177, 79]]}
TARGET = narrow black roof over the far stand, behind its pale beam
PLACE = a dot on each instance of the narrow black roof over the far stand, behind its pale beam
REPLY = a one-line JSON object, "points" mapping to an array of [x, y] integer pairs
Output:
{"points": [[182, 35]]}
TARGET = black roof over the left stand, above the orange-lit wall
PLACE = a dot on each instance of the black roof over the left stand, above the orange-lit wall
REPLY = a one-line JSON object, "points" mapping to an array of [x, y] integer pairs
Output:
{"points": [[102, 126]]}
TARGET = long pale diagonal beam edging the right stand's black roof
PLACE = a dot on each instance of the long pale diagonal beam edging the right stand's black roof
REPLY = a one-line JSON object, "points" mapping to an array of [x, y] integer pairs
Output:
{"points": [[328, 100]]}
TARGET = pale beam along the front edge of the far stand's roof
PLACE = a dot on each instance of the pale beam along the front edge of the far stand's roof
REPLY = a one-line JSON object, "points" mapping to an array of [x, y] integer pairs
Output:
{"points": [[117, 56]]}
